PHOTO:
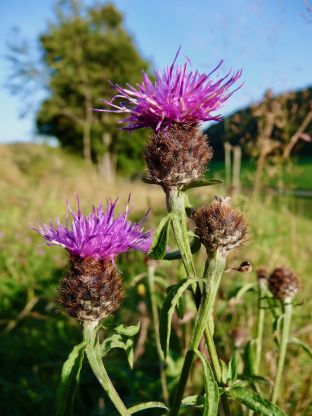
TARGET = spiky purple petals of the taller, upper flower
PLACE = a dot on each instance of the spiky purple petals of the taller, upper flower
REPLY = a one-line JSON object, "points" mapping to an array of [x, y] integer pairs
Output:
{"points": [[176, 96]]}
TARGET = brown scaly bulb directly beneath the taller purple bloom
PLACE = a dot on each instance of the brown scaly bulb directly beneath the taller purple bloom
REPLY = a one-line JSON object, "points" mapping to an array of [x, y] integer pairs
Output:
{"points": [[177, 156]]}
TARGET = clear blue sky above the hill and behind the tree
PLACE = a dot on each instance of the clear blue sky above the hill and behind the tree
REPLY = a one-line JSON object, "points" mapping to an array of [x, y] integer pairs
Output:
{"points": [[269, 39]]}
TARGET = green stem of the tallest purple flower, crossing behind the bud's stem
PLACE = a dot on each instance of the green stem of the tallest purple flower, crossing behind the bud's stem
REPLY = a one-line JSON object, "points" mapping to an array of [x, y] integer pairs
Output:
{"points": [[176, 204]]}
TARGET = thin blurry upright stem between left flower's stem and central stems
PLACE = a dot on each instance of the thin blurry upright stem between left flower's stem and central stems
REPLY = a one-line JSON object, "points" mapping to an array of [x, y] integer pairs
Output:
{"points": [[151, 284]]}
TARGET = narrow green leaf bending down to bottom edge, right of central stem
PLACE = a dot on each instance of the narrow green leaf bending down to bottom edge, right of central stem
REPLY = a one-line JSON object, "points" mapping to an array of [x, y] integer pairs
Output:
{"points": [[211, 388]]}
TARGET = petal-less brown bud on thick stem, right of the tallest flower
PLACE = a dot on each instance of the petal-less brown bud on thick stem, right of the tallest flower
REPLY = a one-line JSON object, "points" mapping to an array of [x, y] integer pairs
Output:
{"points": [[220, 227]]}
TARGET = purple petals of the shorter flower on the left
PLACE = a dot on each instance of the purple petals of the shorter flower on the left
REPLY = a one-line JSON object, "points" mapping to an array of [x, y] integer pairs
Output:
{"points": [[100, 235]]}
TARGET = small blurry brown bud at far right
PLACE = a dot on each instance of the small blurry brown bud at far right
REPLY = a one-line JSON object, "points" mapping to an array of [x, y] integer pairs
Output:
{"points": [[283, 283]]}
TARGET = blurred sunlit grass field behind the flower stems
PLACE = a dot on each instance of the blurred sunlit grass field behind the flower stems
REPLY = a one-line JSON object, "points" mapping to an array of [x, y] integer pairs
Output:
{"points": [[35, 341]]}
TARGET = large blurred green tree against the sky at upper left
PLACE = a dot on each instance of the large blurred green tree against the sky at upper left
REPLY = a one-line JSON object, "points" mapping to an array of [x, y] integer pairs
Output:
{"points": [[81, 50]]}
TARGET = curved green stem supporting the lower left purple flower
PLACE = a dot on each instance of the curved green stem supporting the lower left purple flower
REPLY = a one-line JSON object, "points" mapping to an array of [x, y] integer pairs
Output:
{"points": [[93, 353]]}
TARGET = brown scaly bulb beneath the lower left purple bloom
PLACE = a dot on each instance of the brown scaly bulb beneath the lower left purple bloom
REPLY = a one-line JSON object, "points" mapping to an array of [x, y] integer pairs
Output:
{"points": [[93, 290]]}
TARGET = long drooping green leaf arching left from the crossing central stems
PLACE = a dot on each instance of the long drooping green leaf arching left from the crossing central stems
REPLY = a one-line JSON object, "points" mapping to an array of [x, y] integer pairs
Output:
{"points": [[168, 309]]}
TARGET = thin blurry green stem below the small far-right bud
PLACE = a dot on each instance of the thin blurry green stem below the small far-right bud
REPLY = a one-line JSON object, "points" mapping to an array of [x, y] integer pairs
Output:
{"points": [[287, 307]]}
